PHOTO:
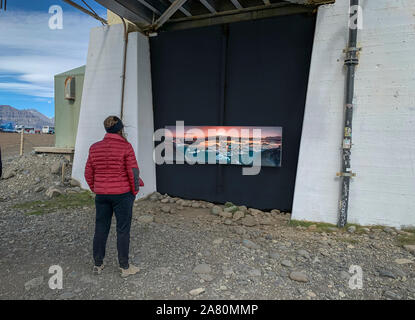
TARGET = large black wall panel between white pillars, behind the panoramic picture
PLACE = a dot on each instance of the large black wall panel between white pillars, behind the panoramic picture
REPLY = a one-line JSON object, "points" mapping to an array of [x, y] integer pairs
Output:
{"points": [[251, 73]]}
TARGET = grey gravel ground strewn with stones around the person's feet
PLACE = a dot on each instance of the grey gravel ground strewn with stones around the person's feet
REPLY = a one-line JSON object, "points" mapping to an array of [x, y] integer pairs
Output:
{"points": [[223, 251]]}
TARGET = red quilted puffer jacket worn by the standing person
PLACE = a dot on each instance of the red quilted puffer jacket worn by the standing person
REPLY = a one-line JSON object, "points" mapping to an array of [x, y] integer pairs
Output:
{"points": [[112, 167]]}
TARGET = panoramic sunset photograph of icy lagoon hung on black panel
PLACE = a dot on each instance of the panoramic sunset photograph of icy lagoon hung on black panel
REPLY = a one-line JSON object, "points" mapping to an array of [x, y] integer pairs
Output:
{"points": [[240, 145]]}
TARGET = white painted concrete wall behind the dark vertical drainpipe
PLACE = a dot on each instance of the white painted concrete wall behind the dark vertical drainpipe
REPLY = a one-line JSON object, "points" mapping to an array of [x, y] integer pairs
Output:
{"points": [[383, 152]]}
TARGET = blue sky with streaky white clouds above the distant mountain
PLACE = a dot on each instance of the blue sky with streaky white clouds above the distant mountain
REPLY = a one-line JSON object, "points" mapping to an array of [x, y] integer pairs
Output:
{"points": [[31, 53]]}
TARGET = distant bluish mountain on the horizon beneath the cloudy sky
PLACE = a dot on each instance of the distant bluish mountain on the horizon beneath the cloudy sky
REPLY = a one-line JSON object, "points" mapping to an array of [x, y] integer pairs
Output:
{"points": [[26, 117]]}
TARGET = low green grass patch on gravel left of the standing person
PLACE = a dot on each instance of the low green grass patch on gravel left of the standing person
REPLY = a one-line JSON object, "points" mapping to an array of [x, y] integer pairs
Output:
{"points": [[64, 201]]}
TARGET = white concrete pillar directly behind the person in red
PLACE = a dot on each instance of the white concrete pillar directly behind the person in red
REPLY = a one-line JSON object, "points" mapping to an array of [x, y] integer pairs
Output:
{"points": [[102, 97]]}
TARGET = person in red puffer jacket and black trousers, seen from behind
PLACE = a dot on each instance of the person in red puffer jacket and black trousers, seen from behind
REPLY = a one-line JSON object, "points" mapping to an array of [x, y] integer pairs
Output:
{"points": [[112, 174]]}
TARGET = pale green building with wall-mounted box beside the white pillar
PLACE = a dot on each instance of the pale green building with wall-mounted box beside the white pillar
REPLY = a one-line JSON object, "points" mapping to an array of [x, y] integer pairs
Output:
{"points": [[68, 95]]}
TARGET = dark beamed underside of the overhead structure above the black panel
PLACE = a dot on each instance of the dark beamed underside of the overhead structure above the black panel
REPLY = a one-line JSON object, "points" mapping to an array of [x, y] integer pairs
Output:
{"points": [[151, 16]]}
